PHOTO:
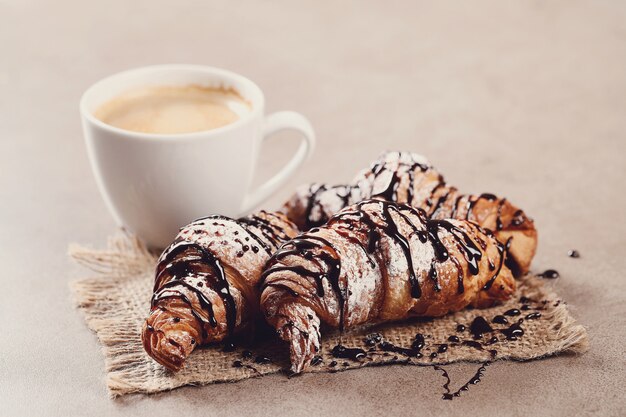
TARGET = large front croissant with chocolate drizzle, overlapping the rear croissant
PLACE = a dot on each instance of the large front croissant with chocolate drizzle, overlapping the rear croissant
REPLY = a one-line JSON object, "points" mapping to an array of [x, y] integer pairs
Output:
{"points": [[379, 261]]}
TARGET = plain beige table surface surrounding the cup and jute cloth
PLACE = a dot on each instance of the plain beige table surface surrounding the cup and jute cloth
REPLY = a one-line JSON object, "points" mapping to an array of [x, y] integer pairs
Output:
{"points": [[523, 99]]}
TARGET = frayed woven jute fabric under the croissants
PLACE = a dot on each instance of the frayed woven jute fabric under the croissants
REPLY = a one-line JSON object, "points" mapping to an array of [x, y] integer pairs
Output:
{"points": [[116, 301]]}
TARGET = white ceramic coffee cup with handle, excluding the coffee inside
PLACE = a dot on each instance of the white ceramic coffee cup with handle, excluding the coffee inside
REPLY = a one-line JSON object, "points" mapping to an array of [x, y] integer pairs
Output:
{"points": [[155, 183]]}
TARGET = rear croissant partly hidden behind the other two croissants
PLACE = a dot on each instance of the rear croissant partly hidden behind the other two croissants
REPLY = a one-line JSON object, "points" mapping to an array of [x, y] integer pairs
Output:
{"points": [[408, 178]]}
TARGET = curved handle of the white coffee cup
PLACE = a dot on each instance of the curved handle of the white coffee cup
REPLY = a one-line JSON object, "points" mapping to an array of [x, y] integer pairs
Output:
{"points": [[275, 122]]}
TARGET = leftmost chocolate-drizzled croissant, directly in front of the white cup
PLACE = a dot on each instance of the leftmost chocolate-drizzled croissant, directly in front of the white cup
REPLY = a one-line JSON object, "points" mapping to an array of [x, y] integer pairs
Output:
{"points": [[205, 287]]}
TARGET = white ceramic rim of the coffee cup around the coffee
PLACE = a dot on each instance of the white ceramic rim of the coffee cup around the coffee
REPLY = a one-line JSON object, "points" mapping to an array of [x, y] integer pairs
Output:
{"points": [[254, 95]]}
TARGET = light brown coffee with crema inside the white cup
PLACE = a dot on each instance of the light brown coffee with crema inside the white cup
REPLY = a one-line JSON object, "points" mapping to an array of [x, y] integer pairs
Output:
{"points": [[174, 109]]}
